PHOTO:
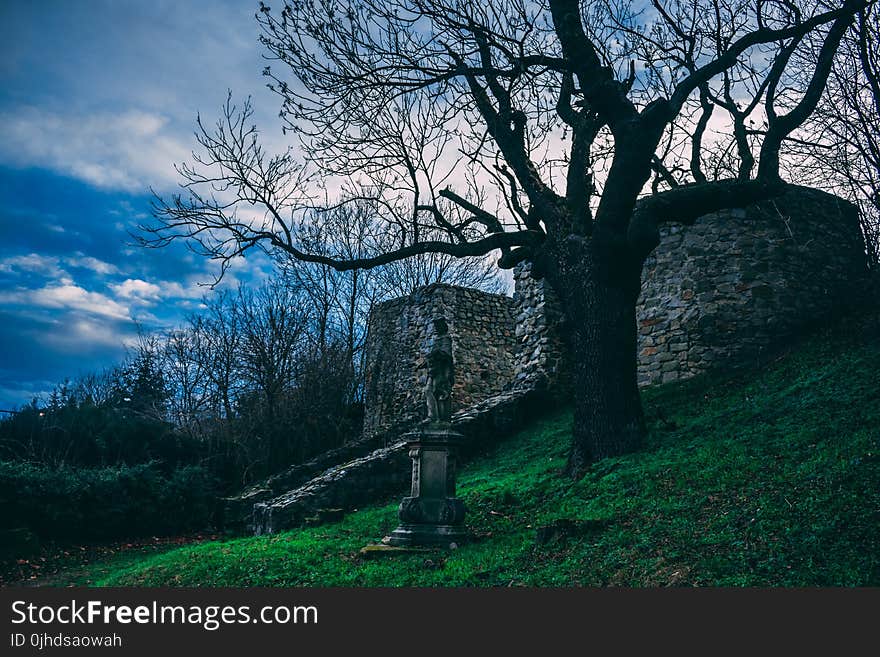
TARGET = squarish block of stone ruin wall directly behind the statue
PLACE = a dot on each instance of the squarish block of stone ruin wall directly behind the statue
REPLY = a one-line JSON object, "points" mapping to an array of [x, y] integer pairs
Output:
{"points": [[481, 326]]}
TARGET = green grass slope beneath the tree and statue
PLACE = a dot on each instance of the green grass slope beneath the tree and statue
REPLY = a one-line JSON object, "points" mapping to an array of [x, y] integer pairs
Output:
{"points": [[764, 479]]}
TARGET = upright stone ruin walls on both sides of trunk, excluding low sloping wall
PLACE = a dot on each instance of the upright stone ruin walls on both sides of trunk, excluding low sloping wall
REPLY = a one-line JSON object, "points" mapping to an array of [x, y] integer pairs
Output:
{"points": [[726, 291]]}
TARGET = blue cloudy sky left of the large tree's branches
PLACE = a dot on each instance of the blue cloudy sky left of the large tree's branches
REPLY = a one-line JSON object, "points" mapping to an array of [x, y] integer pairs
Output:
{"points": [[98, 100]]}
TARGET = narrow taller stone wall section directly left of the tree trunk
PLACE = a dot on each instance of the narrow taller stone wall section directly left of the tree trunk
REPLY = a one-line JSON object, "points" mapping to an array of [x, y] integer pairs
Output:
{"points": [[540, 360]]}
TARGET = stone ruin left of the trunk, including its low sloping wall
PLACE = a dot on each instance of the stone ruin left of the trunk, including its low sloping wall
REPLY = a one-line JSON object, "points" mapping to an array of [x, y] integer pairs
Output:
{"points": [[498, 380]]}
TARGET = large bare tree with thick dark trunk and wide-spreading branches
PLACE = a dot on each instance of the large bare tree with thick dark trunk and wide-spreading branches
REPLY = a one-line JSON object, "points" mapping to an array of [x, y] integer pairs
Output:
{"points": [[526, 128]]}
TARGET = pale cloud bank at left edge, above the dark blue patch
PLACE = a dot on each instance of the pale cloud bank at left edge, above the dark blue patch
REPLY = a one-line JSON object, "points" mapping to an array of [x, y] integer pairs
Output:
{"points": [[130, 151]]}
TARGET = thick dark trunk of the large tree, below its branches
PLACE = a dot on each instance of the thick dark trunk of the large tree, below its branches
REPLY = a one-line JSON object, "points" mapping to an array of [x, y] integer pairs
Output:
{"points": [[598, 286]]}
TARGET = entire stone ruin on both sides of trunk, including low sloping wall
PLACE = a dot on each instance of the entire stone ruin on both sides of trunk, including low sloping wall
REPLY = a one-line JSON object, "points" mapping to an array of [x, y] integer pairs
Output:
{"points": [[726, 291]]}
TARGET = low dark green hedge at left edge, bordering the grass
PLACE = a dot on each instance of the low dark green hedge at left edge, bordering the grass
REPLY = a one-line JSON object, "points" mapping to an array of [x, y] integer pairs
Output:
{"points": [[105, 503]]}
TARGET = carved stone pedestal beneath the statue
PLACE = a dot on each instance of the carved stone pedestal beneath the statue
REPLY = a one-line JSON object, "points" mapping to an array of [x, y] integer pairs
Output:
{"points": [[431, 515]]}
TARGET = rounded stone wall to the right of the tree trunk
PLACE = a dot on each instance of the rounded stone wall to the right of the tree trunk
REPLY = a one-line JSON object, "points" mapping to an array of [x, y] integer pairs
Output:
{"points": [[738, 284]]}
